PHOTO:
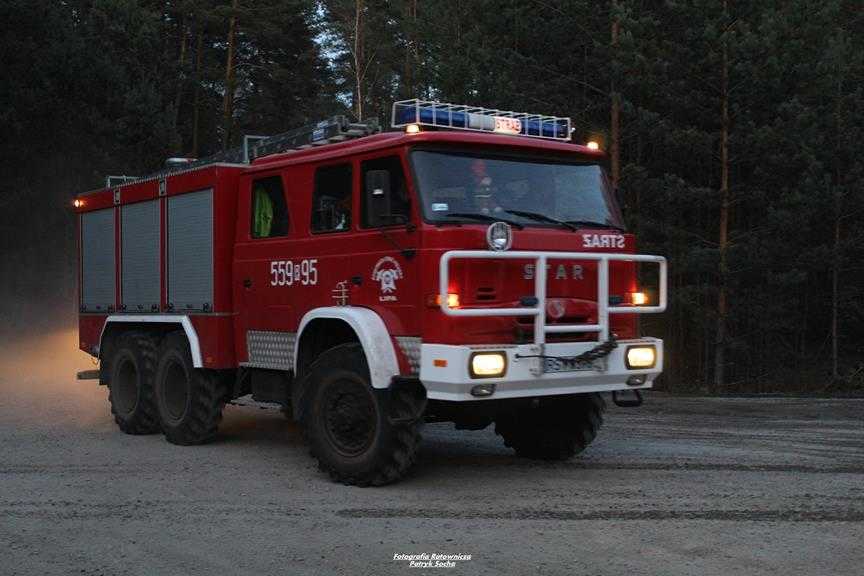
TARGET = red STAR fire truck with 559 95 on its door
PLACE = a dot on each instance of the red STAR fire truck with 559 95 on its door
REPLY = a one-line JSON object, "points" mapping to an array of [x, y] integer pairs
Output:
{"points": [[469, 265]]}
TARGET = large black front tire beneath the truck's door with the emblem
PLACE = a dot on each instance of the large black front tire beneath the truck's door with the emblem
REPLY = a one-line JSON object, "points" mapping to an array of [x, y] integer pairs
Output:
{"points": [[360, 436]]}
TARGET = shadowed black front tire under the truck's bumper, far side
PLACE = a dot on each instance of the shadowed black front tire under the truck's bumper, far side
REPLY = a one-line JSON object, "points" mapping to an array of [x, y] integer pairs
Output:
{"points": [[553, 428]]}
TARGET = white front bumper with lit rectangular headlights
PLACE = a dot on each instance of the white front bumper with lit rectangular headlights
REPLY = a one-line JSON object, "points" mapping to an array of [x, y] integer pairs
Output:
{"points": [[524, 377]]}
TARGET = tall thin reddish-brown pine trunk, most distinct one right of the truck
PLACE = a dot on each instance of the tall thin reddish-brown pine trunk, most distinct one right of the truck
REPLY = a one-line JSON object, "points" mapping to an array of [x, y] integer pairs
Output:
{"points": [[722, 294]]}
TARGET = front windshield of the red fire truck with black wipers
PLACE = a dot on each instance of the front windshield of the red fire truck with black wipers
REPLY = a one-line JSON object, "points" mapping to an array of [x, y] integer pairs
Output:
{"points": [[530, 191]]}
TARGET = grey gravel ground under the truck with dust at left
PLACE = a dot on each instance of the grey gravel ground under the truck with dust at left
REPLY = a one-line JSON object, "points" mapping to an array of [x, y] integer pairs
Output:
{"points": [[678, 486]]}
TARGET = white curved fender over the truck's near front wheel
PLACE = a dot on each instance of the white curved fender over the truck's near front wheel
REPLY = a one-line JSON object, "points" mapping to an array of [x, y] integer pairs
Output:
{"points": [[371, 332]]}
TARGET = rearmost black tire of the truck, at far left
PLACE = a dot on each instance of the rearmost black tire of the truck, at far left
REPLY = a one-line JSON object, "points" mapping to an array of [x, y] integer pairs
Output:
{"points": [[130, 373]]}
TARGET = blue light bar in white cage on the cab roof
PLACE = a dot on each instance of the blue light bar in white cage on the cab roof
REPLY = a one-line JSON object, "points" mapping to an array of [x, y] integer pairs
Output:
{"points": [[460, 117]]}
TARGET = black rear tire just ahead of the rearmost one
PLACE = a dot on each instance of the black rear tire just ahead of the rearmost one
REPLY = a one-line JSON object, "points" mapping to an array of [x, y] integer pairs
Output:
{"points": [[189, 399]]}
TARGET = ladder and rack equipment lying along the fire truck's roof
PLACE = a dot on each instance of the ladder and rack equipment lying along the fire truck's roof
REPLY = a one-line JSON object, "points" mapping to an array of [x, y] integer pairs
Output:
{"points": [[330, 131]]}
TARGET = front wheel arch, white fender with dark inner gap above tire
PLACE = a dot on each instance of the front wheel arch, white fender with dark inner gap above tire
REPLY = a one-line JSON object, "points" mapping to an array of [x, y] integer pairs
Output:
{"points": [[368, 330]]}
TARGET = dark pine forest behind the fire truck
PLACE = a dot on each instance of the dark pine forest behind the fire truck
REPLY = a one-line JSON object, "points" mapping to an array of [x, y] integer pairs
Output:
{"points": [[733, 128]]}
